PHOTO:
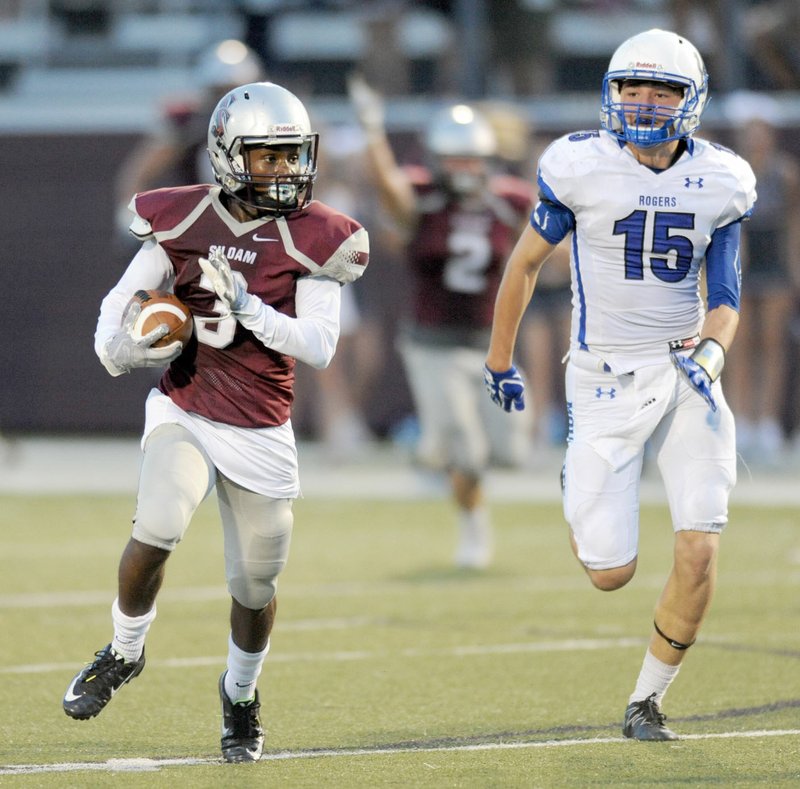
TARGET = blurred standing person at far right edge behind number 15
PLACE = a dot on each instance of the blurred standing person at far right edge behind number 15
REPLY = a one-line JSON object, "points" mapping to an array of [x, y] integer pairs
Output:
{"points": [[759, 362]]}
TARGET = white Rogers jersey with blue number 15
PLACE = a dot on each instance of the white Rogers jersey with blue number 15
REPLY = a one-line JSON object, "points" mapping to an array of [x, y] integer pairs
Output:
{"points": [[640, 239]]}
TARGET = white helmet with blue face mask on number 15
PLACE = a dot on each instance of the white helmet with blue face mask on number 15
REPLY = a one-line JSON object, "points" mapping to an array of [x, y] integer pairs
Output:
{"points": [[654, 56]]}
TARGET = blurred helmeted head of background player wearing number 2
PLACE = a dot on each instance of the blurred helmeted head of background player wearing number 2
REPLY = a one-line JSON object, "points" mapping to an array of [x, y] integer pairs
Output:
{"points": [[461, 132]]}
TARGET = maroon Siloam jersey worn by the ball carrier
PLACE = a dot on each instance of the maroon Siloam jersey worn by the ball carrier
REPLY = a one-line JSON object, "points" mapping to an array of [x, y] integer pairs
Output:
{"points": [[225, 373]]}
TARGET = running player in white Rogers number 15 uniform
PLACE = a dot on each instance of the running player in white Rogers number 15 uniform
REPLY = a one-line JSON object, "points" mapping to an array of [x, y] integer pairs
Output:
{"points": [[651, 210]]}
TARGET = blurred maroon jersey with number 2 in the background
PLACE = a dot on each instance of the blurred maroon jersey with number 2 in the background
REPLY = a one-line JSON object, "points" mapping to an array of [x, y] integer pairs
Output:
{"points": [[459, 249]]}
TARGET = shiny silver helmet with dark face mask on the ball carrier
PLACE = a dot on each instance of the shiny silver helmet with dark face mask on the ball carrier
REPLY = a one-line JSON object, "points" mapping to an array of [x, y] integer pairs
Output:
{"points": [[262, 114]]}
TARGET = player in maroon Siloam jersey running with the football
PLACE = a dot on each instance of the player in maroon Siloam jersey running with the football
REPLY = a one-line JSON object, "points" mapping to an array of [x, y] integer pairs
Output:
{"points": [[261, 267]]}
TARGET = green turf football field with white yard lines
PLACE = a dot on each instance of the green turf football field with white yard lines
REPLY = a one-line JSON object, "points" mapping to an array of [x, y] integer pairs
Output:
{"points": [[389, 668]]}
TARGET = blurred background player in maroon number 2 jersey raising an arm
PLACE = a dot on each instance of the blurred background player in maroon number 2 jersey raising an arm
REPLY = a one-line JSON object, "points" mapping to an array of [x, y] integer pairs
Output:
{"points": [[460, 221]]}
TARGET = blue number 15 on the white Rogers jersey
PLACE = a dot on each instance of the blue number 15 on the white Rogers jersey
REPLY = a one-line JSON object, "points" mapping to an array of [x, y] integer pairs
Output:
{"points": [[634, 227]]}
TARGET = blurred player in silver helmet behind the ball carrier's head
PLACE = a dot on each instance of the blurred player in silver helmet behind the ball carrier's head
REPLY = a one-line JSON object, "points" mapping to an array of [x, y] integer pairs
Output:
{"points": [[176, 153]]}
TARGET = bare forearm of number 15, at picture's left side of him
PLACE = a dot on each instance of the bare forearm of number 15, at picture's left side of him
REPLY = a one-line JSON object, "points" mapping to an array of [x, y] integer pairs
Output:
{"points": [[516, 289]]}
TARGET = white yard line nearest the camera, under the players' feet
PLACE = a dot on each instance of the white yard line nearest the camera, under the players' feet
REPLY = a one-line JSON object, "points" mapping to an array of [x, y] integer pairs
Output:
{"points": [[150, 765]]}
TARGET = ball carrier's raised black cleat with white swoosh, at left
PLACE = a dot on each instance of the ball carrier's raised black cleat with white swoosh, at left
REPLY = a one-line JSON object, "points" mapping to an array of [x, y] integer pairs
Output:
{"points": [[93, 687]]}
